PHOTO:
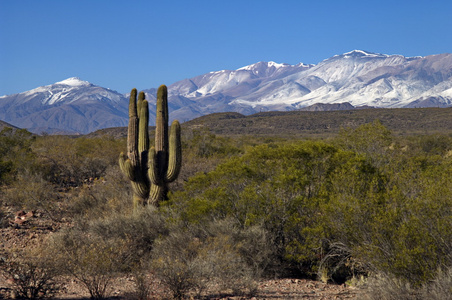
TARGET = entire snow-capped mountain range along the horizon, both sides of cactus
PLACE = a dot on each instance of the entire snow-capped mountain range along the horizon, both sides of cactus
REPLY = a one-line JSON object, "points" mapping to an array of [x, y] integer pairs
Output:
{"points": [[358, 77]]}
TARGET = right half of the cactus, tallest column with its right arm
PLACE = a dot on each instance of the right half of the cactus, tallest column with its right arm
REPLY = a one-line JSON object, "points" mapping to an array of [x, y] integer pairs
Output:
{"points": [[165, 158]]}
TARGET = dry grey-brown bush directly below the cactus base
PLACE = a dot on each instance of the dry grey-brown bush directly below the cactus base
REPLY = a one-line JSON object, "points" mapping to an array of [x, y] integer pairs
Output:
{"points": [[99, 248]]}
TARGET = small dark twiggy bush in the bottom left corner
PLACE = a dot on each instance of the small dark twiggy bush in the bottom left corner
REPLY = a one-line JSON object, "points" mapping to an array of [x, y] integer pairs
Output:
{"points": [[32, 275]]}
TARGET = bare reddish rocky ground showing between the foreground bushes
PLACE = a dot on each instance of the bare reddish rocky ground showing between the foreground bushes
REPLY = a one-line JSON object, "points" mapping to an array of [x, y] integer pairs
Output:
{"points": [[28, 229]]}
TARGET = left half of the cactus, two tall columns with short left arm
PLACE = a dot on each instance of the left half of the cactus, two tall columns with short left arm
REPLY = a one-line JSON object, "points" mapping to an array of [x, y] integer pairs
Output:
{"points": [[135, 164]]}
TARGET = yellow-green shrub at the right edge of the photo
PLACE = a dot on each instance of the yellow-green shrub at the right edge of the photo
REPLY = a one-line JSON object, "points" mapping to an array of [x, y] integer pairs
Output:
{"points": [[402, 228]]}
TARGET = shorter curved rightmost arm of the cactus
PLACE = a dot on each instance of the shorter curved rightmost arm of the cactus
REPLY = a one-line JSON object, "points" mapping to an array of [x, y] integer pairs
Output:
{"points": [[175, 153]]}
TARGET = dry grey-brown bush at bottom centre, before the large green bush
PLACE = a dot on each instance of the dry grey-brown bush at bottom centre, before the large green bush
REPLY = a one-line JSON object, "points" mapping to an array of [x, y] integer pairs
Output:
{"points": [[195, 260]]}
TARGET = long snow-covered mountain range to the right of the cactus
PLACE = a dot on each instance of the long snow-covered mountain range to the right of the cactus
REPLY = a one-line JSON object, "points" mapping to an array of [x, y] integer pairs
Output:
{"points": [[358, 77]]}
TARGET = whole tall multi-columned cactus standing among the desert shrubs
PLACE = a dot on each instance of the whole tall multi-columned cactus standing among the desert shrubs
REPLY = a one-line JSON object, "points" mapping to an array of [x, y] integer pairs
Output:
{"points": [[150, 170]]}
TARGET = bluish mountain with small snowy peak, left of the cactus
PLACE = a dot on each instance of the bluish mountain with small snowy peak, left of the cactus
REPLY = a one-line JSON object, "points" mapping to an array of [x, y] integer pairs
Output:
{"points": [[68, 106]]}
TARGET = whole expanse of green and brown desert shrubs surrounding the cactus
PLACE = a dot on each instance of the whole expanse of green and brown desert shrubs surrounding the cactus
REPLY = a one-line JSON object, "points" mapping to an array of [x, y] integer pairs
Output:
{"points": [[364, 203]]}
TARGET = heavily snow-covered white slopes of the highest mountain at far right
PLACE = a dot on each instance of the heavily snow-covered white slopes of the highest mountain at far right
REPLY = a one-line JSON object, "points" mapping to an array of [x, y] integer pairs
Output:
{"points": [[360, 78]]}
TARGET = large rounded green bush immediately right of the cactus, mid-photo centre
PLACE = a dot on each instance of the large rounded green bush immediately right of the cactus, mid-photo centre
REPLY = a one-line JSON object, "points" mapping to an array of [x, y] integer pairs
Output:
{"points": [[282, 187]]}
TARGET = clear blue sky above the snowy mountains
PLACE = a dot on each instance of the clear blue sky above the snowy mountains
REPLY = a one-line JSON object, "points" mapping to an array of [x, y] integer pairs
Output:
{"points": [[142, 44]]}
